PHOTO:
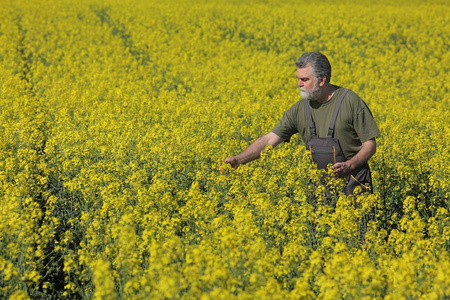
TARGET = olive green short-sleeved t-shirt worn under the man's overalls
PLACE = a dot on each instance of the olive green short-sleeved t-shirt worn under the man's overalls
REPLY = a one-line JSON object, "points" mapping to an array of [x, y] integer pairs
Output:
{"points": [[354, 123]]}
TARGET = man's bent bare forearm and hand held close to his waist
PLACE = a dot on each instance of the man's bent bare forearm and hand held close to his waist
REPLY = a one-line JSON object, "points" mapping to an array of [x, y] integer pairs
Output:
{"points": [[368, 149]]}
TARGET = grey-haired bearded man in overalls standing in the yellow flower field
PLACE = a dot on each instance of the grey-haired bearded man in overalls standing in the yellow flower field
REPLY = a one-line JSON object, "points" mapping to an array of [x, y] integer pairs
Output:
{"points": [[355, 128]]}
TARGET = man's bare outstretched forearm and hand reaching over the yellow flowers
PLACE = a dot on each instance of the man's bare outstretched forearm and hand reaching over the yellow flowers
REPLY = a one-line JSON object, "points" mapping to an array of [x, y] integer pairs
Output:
{"points": [[253, 151]]}
